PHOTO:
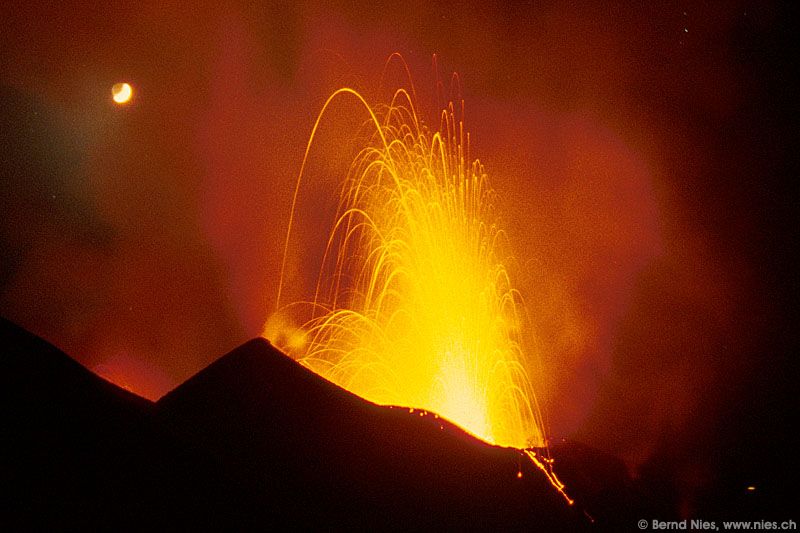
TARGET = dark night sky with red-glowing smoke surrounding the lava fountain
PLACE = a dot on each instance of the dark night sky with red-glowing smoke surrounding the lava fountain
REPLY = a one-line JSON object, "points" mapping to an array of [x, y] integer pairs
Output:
{"points": [[642, 151]]}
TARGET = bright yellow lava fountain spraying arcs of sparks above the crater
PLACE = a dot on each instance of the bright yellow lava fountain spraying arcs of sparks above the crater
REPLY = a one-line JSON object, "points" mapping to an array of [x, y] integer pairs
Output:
{"points": [[414, 305]]}
